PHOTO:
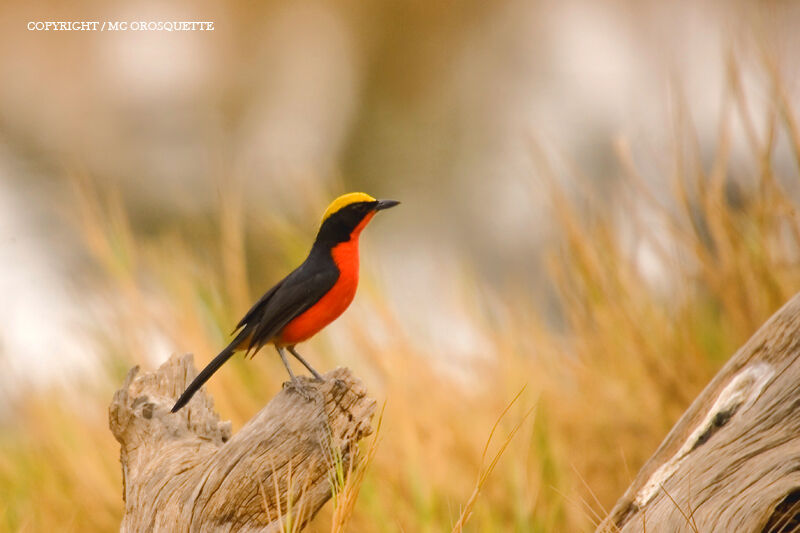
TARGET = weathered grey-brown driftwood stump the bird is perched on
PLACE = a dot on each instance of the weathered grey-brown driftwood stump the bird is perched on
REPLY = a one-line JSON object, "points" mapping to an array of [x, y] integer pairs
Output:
{"points": [[186, 472]]}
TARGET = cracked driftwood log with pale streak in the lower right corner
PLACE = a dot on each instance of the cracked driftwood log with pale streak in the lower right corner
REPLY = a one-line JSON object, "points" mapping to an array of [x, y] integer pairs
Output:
{"points": [[732, 462]]}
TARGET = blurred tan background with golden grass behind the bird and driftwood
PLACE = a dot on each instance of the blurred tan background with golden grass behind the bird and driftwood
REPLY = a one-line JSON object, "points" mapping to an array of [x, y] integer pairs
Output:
{"points": [[599, 204]]}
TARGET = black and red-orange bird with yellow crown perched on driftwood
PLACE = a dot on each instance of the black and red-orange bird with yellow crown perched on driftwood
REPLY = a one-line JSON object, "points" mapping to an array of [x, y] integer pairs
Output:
{"points": [[312, 296]]}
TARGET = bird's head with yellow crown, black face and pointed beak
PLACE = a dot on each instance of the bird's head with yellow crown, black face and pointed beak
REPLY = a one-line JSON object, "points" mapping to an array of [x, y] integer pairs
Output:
{"points": [[348, 215]]}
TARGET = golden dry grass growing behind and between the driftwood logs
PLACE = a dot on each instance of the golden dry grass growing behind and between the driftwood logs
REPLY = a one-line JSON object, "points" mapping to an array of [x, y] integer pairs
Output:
{"points": [[599, 385]]}
